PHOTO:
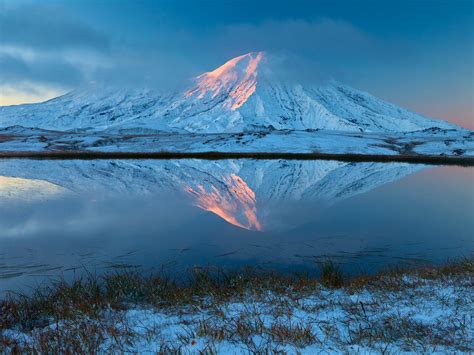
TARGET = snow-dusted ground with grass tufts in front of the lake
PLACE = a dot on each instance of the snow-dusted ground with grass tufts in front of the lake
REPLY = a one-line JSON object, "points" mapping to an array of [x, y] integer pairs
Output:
{"points": [[431, 311]]}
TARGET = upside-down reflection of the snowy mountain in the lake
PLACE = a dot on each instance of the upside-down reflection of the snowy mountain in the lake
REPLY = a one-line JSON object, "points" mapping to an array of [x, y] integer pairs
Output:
{"points": [[246, 193]]}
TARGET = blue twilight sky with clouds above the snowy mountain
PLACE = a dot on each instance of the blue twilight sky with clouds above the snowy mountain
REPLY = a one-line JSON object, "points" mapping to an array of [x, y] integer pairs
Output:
{"points": [[418, 54]]}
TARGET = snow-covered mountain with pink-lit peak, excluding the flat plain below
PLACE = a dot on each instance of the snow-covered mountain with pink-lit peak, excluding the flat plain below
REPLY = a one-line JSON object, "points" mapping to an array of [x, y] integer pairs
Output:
{"points": [[244, 93]]}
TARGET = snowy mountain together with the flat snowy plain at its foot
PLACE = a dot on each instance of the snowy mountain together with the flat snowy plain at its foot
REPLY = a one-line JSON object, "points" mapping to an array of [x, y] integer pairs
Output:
{"points": [[245, 105]]}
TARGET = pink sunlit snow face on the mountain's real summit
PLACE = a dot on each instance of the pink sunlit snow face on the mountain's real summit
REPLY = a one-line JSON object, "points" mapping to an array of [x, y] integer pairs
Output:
{"points": [[236, 78]]}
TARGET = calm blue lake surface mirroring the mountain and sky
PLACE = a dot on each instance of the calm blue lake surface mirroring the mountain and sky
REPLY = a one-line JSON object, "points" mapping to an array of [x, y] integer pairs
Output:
{"points": [[58, 218]]}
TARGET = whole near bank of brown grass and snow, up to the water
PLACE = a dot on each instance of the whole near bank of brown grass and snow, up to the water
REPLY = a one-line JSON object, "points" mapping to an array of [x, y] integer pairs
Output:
{"points": [[89, 314]]}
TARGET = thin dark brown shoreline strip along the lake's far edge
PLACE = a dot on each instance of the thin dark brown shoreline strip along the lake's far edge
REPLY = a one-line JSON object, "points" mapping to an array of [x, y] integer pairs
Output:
{"points": [[88, 155]]}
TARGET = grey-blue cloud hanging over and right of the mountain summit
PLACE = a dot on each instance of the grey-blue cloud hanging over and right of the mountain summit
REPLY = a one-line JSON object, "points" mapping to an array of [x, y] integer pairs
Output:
{"points": [[303, 50]]}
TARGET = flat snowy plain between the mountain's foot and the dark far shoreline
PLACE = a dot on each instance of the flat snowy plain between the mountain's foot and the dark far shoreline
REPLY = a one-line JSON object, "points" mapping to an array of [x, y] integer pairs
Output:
{"points": [[432, 142]]}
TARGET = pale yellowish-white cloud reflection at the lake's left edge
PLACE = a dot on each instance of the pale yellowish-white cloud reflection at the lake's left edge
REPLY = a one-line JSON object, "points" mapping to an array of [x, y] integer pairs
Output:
{"points": [[12, 188]]}
